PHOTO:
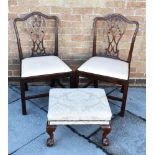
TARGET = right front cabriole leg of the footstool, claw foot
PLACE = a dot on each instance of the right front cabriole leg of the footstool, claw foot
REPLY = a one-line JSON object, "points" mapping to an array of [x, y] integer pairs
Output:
{"points": [[106, 130]]}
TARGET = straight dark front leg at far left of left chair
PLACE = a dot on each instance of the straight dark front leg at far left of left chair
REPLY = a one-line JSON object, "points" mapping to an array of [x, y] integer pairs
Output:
{"points": [[22, 86]]}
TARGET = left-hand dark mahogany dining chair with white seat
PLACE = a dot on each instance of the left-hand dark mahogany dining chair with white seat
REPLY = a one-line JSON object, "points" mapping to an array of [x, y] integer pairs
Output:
{"points": [[42, 63]]}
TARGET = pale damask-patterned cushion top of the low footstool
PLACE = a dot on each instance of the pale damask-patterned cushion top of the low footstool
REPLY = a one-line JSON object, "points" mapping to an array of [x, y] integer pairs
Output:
{"points": [[78, 104]]}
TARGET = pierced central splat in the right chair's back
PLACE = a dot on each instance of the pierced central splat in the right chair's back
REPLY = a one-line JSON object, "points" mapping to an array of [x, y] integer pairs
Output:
{"points": [[115, 29]]}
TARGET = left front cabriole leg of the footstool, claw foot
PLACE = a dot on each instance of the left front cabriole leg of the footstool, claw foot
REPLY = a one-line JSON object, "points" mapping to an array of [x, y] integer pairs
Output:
{"points": [[50, 130]]}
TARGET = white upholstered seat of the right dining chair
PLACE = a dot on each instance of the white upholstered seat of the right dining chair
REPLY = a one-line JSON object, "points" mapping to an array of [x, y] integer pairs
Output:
{"points": [[106, 67]]}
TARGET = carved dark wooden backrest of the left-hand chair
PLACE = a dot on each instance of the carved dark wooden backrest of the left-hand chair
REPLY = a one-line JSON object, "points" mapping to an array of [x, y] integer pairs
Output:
{"points": [[36, 26]]}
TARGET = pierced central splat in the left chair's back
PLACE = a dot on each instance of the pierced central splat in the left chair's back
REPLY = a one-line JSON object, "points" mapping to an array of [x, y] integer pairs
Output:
{"points": [[36, 28]]}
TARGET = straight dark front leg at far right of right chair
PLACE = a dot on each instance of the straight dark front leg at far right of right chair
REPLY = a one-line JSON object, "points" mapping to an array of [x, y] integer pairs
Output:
{"points": [[125, 92]]}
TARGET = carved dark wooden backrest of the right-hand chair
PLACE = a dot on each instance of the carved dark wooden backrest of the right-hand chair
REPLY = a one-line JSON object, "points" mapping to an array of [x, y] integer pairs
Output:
{"points": [[114, 29]]}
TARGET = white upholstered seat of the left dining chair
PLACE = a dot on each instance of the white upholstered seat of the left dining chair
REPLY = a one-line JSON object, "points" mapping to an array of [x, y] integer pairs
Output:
{"points": [[43, 65]]}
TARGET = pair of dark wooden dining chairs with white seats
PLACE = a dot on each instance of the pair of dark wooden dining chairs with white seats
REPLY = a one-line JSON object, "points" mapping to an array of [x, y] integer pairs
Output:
{"points": [[41, 65]]}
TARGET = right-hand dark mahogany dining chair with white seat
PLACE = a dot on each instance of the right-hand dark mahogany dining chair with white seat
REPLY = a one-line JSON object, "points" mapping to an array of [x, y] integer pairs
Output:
{"points": [[111, 66]]}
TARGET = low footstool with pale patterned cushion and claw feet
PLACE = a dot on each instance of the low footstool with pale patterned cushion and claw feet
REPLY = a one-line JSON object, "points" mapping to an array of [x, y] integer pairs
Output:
{"points": [[78, 106]]}
